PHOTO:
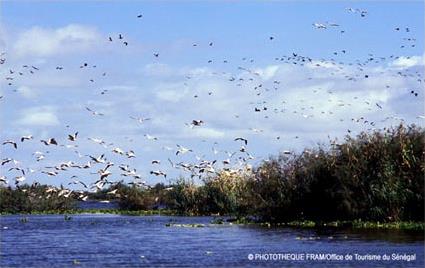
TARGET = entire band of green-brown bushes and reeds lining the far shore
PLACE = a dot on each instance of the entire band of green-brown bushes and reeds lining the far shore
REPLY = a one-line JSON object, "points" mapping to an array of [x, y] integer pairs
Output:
{"points": [[371, 181]]}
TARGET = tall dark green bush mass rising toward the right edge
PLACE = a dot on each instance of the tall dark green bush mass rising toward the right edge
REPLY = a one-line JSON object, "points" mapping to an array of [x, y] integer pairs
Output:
{"points": [[378, 176]]}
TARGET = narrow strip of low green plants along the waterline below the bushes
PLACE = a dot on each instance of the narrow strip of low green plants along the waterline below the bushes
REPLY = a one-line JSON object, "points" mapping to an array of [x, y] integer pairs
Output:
{"points": [[357, 224]]}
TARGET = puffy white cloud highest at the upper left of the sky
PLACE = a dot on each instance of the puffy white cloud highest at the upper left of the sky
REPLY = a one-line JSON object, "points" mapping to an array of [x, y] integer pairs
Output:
{"points": [[39, 41]]}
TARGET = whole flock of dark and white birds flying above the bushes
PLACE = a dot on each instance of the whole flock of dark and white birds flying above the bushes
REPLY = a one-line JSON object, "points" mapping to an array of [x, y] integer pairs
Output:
{"points": [[233, 162]]}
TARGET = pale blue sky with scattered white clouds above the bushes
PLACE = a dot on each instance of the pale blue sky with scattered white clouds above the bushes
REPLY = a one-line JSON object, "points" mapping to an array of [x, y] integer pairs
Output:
{"points": [[284, 75]]}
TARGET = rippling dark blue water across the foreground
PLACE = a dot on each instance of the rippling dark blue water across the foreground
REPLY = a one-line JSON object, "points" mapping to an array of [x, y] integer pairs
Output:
{"points": [[129, 241]]}
